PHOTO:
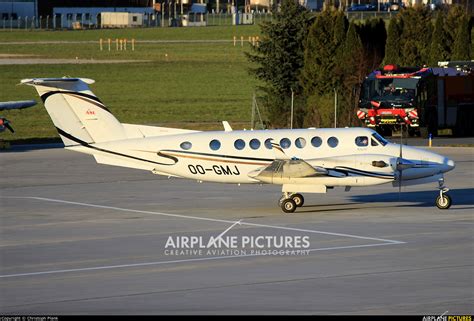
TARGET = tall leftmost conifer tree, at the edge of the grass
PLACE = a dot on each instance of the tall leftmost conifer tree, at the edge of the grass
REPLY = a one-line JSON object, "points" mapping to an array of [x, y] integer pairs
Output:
{"points": [[278, 60]]}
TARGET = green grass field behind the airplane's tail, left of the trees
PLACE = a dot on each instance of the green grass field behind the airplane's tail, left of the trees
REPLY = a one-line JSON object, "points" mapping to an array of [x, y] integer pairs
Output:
{"points": [[182, 85]]}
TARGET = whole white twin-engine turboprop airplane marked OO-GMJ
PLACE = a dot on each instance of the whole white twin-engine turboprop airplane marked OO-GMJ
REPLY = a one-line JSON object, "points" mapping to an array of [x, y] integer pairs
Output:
{"points": [[301, 160]]}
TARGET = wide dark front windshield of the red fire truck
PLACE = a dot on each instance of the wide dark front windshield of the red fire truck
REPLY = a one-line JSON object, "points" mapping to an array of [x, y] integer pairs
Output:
{"points": [[389, 90]]}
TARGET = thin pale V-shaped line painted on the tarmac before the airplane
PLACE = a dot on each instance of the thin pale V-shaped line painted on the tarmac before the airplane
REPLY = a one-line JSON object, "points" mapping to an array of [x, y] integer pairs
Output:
{"points": [[385, 242]]}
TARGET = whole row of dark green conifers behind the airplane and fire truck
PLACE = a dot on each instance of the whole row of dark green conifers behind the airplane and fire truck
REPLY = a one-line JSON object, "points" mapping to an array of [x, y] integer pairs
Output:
{"points": [[312, 57]]}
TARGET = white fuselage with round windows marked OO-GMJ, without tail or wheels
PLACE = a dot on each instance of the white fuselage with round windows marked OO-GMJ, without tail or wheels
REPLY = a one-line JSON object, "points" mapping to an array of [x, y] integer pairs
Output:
{"points": [[229, 157]]}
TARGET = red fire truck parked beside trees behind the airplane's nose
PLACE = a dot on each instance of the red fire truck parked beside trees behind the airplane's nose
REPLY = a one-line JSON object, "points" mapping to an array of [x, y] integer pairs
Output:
{"points": [[430, 100]]}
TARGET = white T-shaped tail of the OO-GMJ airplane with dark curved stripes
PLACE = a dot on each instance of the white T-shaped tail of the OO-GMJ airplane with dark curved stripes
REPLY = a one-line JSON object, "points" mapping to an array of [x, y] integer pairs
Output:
{"points": [[79, 116]]}
